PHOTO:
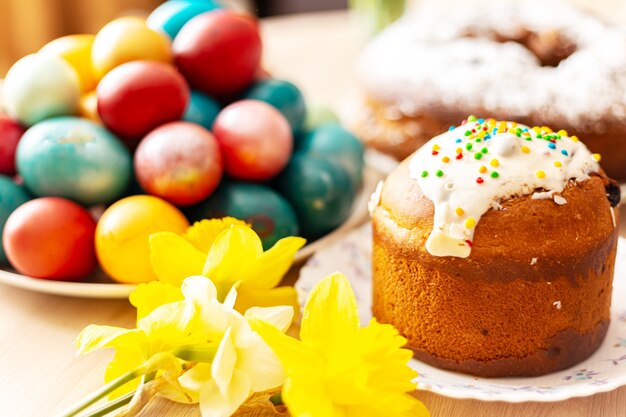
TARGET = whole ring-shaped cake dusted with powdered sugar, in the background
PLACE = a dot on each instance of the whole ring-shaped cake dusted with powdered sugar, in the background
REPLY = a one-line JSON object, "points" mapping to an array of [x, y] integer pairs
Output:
{"points": [[557, 67]]}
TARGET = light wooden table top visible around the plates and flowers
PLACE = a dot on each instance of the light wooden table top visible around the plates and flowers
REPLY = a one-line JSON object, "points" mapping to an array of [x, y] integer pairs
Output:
{"points": [[40, 375]]}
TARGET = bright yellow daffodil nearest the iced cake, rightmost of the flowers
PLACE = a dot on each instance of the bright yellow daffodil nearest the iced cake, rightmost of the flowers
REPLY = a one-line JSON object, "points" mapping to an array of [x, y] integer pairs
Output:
{"points": [[340, 369]]}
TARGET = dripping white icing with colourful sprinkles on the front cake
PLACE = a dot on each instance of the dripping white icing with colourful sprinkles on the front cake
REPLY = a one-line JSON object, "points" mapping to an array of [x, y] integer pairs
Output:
{"points": [[499, 160]]}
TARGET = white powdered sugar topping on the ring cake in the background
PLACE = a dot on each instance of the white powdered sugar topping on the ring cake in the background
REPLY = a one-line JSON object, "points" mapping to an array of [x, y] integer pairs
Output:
{"points": [[425, 62]]}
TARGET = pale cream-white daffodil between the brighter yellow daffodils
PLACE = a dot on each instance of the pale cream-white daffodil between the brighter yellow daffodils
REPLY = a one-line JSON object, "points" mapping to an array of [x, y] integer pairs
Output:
{"points": [[244, 364]]}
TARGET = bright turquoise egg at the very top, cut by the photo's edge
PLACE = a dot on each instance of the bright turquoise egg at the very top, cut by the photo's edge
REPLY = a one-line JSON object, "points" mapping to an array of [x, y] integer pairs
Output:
{"points": [[171, 16]]}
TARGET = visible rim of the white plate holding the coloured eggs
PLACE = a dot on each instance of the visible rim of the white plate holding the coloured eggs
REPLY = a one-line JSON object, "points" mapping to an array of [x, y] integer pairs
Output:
{"points": [[101, 286]]}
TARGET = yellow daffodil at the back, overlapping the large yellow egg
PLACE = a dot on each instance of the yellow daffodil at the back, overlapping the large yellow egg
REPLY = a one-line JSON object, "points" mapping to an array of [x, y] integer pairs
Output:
{"points": [[231, 254]]}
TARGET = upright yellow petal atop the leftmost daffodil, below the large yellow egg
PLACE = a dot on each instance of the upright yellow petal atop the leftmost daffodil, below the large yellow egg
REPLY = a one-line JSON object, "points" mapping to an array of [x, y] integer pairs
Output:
{"points": [[169, 325]]}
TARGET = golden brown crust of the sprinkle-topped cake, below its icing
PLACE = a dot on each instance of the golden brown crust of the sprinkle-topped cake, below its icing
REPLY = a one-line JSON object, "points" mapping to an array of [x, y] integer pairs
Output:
{"points": [[536, 270]]}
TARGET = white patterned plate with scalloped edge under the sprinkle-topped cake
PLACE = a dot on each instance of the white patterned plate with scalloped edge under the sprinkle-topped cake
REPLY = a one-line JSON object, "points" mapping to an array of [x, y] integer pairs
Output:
{"points": [[605, 370]]}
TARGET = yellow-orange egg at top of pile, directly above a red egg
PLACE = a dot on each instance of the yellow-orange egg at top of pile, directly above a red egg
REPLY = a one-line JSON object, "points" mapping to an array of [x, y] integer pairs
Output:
{"points": [[128, 39]]}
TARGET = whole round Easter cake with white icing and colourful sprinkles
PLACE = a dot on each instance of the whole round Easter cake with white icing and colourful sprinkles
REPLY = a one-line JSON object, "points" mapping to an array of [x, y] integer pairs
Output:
{"points": [[494, 249]]}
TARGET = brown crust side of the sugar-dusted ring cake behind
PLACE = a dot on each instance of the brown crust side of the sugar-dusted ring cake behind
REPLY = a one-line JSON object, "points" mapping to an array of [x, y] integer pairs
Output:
{"points": [[400, 135]]}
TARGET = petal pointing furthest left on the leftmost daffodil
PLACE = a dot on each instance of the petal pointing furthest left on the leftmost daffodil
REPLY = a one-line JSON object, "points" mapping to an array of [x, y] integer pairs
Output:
{"points": [[94, 337]]}
